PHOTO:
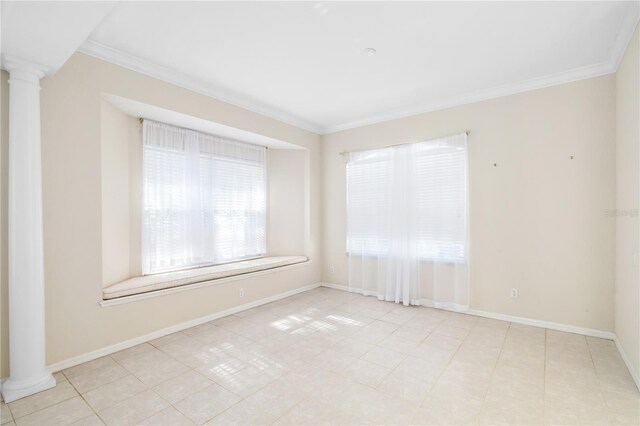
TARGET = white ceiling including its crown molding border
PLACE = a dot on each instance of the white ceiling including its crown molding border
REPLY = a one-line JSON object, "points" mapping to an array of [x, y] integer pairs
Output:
{"points": [[302, 62]]}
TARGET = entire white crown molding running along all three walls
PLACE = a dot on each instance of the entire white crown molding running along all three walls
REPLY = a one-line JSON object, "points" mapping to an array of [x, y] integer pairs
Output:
{"points": [[134, 63]]}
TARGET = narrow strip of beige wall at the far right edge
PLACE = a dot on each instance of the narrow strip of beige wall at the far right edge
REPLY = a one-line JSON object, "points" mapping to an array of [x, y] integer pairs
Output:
{"points": [[627, 296]]}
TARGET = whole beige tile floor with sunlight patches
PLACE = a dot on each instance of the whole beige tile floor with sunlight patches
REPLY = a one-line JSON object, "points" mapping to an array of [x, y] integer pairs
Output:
{"points": [[331, 357]]}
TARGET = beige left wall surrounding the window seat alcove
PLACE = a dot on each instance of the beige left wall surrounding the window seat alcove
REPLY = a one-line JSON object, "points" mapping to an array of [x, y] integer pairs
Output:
{"points": [[71, 154]]}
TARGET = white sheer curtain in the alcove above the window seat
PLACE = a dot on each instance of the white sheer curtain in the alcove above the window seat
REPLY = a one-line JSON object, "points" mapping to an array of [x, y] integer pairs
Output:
{"points": [[204, 199]]}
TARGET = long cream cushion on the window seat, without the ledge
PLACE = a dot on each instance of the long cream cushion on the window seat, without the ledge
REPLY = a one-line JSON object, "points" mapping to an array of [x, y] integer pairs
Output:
{"points": [[166, 280]]}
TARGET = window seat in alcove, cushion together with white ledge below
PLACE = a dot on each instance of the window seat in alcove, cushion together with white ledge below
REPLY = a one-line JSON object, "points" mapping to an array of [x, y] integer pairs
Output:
{"points": [[158, 284]]}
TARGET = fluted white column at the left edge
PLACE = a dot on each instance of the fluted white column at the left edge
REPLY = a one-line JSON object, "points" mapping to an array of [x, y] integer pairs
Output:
{"points": [[28, 373]]}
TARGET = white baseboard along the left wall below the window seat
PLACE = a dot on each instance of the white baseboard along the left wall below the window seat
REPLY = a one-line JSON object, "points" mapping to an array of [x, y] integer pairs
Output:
{"points": [[89, 356]]}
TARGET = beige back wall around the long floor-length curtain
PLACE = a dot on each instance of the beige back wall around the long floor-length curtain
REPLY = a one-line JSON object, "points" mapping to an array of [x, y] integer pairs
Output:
{"points": [[537, 220]]}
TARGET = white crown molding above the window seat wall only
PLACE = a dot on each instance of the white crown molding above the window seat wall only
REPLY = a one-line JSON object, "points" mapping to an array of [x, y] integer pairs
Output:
{"points": [[117, 57]]}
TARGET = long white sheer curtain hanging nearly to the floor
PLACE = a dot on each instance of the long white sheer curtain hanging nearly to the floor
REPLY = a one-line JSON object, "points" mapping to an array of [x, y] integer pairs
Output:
{"points": [[407, 223]]}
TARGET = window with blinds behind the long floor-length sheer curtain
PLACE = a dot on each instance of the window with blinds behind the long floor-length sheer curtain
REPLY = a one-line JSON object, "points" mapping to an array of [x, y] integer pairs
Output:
{"points": [[413, 195]]}
